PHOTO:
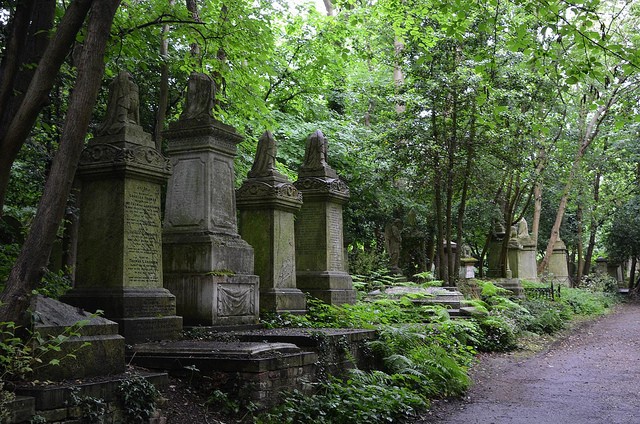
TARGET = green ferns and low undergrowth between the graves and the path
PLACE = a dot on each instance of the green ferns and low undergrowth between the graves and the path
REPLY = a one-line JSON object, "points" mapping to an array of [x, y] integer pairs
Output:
{"points": [[425, 354]]}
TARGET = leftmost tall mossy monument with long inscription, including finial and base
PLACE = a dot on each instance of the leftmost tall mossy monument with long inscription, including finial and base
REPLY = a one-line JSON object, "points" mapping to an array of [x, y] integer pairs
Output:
{"points": [[119, 260]]}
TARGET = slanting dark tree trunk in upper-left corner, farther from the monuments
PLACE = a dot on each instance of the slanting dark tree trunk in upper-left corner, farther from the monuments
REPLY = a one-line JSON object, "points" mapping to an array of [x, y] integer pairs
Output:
{"points": [[15, 128]]}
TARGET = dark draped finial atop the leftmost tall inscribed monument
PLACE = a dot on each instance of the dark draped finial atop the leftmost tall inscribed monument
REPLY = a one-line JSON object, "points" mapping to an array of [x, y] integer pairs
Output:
{"points": [[123, 107]]}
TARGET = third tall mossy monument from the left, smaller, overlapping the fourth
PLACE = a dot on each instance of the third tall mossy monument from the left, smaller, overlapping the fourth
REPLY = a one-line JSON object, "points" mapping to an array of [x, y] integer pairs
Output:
{"points": [[267, 202]]}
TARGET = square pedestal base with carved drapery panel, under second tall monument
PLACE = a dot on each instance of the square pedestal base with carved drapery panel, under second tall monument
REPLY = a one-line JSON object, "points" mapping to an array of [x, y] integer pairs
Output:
{"points": [[215, 299]]}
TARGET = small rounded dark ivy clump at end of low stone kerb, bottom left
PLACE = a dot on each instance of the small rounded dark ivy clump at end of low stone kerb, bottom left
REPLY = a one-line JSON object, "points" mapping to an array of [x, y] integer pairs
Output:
{"points": [[138, 397]]}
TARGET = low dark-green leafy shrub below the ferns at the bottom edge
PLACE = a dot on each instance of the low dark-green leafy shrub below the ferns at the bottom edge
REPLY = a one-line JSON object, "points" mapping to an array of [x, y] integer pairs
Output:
{"points": [[371, 397]]}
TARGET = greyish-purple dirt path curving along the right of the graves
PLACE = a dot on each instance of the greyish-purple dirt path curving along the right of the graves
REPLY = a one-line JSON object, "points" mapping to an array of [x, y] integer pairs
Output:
{"points": [[592, 376]]}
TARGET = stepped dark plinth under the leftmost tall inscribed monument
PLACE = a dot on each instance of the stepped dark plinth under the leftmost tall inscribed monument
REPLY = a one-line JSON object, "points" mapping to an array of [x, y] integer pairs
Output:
{"points": [[142, 314]]}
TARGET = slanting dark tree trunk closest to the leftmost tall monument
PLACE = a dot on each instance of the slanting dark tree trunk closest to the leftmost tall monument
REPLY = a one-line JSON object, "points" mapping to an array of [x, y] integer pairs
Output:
{"points": [[28, 268]]}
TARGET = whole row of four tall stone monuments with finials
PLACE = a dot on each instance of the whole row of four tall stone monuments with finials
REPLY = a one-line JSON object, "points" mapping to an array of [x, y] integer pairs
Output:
{"points": [[148, 277]]}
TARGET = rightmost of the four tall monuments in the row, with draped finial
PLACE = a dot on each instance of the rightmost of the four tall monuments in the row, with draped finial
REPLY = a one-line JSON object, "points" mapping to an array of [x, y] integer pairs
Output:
{"points": [[320, 265]]}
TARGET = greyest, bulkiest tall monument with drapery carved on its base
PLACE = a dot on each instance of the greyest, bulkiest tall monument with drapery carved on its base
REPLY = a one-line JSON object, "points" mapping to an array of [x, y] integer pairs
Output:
{"points": [[206, 264]]}
